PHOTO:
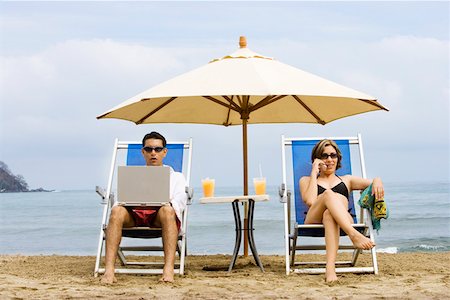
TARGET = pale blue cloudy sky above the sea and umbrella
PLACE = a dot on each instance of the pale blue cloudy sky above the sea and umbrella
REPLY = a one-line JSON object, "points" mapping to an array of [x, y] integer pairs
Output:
{"points": [[64, 63]]}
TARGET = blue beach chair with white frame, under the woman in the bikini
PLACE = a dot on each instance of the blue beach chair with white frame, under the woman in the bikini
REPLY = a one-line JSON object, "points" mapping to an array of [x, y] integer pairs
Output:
{"points": [[303, 237]]}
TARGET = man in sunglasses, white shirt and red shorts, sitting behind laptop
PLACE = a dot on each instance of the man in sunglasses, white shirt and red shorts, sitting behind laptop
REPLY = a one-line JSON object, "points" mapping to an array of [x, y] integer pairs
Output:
{"points": [[166, 217]]}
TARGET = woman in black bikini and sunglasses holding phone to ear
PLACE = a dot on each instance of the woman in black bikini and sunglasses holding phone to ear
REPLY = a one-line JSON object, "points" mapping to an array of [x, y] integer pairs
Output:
{"points": [[327, 195]]}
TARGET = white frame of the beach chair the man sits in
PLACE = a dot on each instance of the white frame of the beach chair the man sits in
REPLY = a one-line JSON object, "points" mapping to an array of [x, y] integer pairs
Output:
{"points": [[145, 267]]}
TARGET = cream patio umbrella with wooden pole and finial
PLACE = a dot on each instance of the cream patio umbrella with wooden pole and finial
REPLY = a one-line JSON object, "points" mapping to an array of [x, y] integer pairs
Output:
{"points": [[244, 88]]}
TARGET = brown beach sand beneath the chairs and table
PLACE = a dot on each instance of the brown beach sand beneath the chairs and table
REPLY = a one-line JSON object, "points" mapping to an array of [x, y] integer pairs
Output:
{"points": [[402, 276]]}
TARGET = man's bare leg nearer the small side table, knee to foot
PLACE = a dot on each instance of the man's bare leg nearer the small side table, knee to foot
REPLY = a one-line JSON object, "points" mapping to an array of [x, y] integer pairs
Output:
{"points": [[166, 219]]}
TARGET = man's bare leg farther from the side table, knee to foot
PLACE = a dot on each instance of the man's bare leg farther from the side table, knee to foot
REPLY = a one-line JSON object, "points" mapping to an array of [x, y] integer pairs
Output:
{"points": [[119, 218]]}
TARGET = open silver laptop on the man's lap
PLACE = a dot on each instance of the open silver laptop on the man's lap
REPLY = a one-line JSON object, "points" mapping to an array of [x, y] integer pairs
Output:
{"points": [[143, 185]]}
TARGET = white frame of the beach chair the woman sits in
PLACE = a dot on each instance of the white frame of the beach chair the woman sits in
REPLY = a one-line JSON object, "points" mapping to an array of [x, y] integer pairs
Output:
{"points": [[294, 233]]}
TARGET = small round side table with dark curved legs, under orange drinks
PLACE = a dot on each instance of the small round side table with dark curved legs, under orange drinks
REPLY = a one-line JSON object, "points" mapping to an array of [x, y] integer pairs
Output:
{"points": [[235, 200]]}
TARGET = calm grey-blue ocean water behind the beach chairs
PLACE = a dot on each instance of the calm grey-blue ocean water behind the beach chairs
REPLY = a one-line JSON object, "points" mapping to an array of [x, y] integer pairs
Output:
{"points": [[69, 222]]}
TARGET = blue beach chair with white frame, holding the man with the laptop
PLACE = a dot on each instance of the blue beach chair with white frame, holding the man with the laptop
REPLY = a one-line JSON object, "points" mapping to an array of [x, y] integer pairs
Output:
{"points": [[179, 157]]}
